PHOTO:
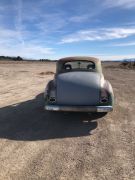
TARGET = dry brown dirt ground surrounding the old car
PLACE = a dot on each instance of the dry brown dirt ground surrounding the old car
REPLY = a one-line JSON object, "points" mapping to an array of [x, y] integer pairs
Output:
{"points": [[35, 144]]}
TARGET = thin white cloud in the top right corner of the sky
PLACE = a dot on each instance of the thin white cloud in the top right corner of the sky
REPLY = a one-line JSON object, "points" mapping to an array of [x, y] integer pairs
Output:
{"points": [[126, 4]]}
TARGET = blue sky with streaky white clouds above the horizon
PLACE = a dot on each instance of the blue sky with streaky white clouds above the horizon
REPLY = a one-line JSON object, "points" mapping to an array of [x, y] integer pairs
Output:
{"points": [[53, 29]]}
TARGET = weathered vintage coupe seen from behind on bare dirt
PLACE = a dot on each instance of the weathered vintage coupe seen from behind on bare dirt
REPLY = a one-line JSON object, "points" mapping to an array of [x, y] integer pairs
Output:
{"points": [[79, 85]]}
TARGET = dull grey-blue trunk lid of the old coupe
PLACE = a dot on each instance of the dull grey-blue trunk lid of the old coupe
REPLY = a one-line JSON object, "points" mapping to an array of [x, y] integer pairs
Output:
{"points": [[78, 88]]}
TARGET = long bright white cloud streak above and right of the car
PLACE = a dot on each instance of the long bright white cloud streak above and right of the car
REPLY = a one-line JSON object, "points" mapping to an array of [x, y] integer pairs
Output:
{"points": [[100, 34]]}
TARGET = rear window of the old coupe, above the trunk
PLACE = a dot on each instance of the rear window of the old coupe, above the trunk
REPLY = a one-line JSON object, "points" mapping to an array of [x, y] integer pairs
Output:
{"points": [[79, 66]]}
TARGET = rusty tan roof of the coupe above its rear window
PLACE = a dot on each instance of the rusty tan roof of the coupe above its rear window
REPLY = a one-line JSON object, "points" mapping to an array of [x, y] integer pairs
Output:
{"points": [[81, 58]]}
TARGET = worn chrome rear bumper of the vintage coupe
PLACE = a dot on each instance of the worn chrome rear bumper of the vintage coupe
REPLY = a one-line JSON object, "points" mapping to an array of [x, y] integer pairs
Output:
{"points": [[79, 108]]}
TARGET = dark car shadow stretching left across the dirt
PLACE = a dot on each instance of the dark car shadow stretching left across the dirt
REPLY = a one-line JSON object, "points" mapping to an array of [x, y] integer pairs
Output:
{"points": [[27, 121]]}
